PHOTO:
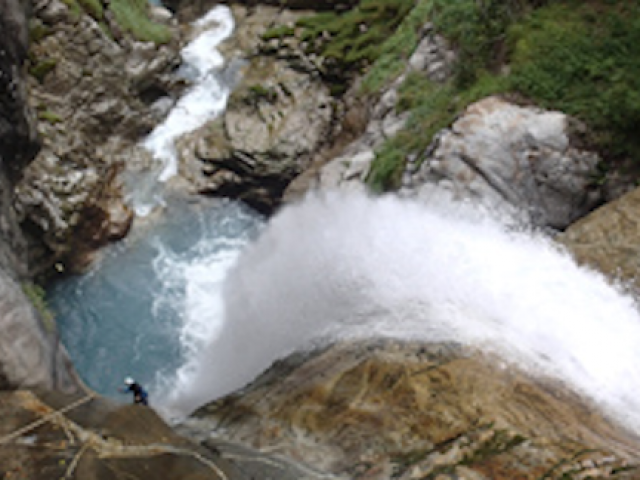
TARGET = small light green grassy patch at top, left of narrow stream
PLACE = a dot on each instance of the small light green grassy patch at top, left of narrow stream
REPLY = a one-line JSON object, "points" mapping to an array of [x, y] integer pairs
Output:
{"points": [[132, 16]]}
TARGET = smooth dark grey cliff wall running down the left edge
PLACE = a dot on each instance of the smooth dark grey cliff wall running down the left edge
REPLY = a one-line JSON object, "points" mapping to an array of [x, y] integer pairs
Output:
{"points": [[30, 354]]}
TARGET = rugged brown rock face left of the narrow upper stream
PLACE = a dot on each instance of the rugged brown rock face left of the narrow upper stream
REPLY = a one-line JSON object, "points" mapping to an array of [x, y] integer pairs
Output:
{"points": [[94, 89]]}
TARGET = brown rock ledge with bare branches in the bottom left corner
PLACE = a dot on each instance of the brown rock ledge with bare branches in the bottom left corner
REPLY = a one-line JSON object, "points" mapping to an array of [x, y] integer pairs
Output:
{"points": [[46, 436]]}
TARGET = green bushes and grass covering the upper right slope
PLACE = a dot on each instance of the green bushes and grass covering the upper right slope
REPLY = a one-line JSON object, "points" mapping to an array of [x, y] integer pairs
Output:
{"points": [[569, 55]]}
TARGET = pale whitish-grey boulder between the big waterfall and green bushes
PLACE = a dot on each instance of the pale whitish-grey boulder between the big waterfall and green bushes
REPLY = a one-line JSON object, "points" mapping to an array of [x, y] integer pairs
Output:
{"points": [[518, 157]]}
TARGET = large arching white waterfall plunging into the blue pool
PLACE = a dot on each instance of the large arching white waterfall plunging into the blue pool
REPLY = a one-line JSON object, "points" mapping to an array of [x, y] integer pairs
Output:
{"points": [[356, 266]]}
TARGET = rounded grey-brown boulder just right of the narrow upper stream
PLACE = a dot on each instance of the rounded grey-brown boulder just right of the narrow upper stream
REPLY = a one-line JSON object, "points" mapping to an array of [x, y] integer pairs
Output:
{"points": [[271, 127]]}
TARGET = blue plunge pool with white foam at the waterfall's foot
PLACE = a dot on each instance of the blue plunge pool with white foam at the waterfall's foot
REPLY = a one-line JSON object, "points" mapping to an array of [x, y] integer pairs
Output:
{"points": [[134, 312]]}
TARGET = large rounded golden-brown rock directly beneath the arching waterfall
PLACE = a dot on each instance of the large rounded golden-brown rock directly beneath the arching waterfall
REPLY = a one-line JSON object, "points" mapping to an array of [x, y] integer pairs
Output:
{"points": [[383, 409]]}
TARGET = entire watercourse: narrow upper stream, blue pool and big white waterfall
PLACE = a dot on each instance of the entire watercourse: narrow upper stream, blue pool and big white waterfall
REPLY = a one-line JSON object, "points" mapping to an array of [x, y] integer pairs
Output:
{"points": [[197, 303]]}
